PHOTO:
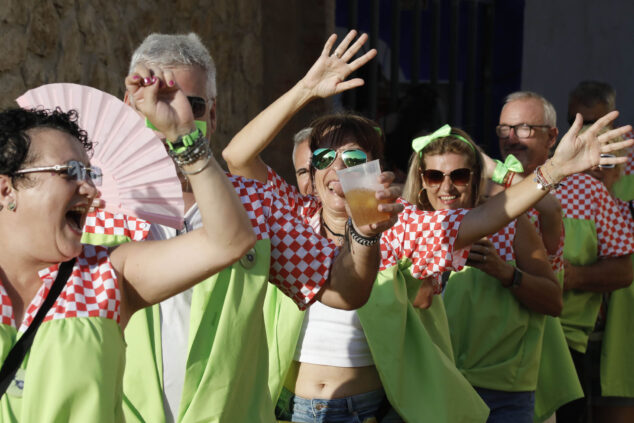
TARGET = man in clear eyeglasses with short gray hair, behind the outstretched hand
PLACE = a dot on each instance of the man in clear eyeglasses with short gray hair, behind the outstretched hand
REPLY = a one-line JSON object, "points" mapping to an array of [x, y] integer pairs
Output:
{"points": [[598, 242]]}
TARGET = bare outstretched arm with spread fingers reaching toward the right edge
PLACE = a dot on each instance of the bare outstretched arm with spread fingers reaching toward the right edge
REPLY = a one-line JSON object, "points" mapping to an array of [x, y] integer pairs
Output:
{"points": [[575, 153]]}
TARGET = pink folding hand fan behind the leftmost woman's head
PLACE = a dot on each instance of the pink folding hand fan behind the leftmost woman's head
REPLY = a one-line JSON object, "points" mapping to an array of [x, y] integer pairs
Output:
{"points": [[139, 178]]}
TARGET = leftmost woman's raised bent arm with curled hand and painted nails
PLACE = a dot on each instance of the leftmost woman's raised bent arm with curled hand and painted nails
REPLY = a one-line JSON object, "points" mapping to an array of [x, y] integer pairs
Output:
{"points": [[152, 271]]}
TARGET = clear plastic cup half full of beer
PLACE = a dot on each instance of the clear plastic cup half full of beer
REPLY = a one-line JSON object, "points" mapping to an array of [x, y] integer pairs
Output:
{"points": [[359, 184]]}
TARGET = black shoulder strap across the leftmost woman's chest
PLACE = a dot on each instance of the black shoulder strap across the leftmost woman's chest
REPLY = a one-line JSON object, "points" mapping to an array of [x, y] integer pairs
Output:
{"points": [[19, 350]]}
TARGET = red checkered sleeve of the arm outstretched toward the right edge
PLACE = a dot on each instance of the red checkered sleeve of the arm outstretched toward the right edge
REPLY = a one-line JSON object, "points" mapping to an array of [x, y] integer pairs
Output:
{"points": [[426, 239]]}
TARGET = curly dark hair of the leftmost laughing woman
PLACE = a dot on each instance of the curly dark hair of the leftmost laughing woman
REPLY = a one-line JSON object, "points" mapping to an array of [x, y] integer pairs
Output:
{"points": [[15, 141]]}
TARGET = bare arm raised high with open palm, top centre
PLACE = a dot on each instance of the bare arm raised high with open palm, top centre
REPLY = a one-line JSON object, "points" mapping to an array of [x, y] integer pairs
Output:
{"points": [[325, 78]]}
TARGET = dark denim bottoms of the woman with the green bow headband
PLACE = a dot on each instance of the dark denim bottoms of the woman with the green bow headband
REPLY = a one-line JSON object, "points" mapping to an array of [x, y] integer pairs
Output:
{"points": [[516, 407]]}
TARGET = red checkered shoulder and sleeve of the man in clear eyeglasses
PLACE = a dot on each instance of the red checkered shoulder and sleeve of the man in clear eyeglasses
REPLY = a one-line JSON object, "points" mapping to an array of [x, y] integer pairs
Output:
{"points": [[585, 198]]}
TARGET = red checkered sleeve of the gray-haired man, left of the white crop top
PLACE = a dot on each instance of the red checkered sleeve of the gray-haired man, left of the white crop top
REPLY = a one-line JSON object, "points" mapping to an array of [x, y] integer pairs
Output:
{"points": [[300, 259]]}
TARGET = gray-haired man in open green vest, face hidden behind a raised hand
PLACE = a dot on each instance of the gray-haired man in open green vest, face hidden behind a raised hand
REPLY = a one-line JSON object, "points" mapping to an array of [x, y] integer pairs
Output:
{"points": [[202, 355]]}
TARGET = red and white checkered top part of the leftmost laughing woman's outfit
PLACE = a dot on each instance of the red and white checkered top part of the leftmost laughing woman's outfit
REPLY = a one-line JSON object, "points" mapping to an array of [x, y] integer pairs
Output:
{"points": [[91, 291]]}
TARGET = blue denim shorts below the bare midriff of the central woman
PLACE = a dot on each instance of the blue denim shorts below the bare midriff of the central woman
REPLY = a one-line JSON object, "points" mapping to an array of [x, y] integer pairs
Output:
{"points": [[370, 406]]}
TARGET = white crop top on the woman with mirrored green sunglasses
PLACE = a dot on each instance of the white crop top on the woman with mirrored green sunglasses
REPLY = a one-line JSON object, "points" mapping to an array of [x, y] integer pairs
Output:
{"points": [[332, 337]]}
